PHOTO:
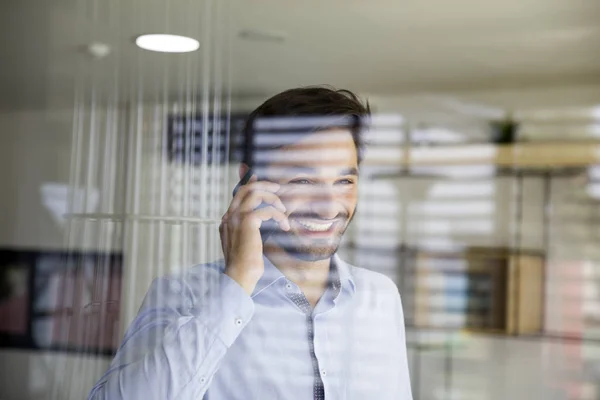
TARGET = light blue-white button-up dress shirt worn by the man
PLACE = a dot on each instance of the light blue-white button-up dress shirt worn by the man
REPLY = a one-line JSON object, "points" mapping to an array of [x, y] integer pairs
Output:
{"points": [[199, 335]]}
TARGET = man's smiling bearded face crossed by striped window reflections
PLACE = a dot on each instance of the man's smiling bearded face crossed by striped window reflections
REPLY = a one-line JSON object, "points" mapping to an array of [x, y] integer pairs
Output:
{"points": [[319, 188]]}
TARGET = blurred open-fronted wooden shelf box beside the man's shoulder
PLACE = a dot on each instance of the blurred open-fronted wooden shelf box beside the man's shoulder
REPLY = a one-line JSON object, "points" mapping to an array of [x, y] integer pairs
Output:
{"points": [[483, 290]]}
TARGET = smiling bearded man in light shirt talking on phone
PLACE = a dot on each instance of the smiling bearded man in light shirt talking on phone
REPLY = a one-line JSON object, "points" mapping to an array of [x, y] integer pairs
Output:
{"points": [[282, 317]]}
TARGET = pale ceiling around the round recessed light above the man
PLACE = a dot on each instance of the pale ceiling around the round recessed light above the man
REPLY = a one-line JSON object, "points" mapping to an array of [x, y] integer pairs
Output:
{"points": [[379, 47]]}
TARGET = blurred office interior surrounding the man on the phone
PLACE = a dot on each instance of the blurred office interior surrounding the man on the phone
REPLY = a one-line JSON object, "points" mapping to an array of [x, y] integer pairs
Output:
{"points": [[480, 192]]}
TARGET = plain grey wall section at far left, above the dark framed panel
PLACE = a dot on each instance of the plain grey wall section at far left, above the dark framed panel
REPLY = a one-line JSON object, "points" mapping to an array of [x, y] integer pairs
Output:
{"points": [[35, 151]]}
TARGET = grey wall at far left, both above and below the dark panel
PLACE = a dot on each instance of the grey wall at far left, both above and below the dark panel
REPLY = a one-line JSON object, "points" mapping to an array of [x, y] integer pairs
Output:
{"points": [[35, 150]]}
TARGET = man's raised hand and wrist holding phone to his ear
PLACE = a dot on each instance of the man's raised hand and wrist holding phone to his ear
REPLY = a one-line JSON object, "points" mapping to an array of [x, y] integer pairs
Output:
{"points": [[240, 230]]}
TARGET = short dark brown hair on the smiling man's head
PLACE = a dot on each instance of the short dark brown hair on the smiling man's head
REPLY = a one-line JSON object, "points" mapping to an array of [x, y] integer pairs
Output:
{"points": [[311, 101]]}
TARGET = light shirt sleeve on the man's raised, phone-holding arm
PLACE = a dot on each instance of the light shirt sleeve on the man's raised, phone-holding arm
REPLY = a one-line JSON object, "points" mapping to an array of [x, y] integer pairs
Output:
{"points": [[177, 341]]}
